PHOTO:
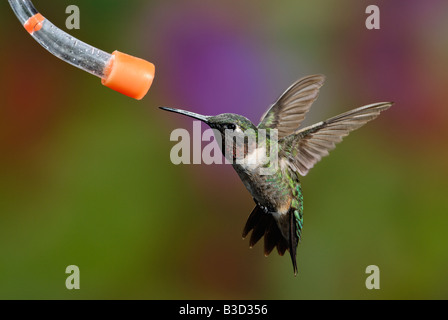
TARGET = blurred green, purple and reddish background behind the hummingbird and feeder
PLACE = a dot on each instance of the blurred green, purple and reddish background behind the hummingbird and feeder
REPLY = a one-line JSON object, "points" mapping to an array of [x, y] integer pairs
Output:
{"points": [[86, 177]]}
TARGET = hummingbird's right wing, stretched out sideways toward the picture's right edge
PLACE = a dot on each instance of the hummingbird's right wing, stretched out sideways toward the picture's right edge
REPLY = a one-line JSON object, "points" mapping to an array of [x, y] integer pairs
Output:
{"points": [[306, 147]]}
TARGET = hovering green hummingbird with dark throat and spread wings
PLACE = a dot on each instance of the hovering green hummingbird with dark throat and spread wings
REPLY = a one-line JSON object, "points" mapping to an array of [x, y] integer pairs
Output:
{"points": [[278, 197]]}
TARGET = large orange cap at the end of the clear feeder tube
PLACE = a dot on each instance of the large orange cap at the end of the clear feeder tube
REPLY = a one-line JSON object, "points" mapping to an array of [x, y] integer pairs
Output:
{"points": [[129, 75]]}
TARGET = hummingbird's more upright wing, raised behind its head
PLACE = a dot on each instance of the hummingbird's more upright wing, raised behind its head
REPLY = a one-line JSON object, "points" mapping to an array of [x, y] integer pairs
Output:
{"points": [[288, 112]]}
